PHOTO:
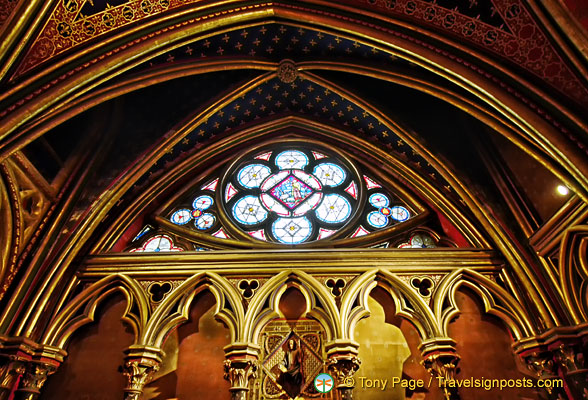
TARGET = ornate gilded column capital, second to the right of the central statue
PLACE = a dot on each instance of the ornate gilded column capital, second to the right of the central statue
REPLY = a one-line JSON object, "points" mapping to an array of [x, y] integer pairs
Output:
{"points": [[440, 359]]}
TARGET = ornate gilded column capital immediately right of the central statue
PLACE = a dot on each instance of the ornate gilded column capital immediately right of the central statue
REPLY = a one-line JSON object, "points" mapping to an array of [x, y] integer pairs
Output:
{"points": [[343, 363]]}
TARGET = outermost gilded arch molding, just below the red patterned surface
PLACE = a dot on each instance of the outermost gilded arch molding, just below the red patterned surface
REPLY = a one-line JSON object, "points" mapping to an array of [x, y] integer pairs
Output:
{"points": [[499, 98]]}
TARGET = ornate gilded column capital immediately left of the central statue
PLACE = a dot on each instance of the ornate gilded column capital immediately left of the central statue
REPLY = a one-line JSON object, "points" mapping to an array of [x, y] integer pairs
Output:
{"points": [[241, 367]]}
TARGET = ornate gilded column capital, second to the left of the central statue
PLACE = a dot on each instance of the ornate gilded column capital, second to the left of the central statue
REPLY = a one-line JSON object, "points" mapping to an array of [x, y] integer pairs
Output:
{"points": [[141, 362]]}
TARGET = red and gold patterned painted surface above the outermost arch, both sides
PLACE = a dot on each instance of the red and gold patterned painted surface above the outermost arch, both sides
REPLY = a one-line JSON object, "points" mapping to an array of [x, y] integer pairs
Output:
{"points": [[504, 28]]}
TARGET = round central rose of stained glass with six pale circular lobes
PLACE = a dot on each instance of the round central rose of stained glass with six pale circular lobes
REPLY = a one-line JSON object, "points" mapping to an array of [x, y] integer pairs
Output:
{"points": [[291, 196]]}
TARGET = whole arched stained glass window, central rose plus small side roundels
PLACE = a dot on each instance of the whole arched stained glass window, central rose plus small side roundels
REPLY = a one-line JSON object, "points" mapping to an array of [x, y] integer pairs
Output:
{"points": [[289, 193]]}
